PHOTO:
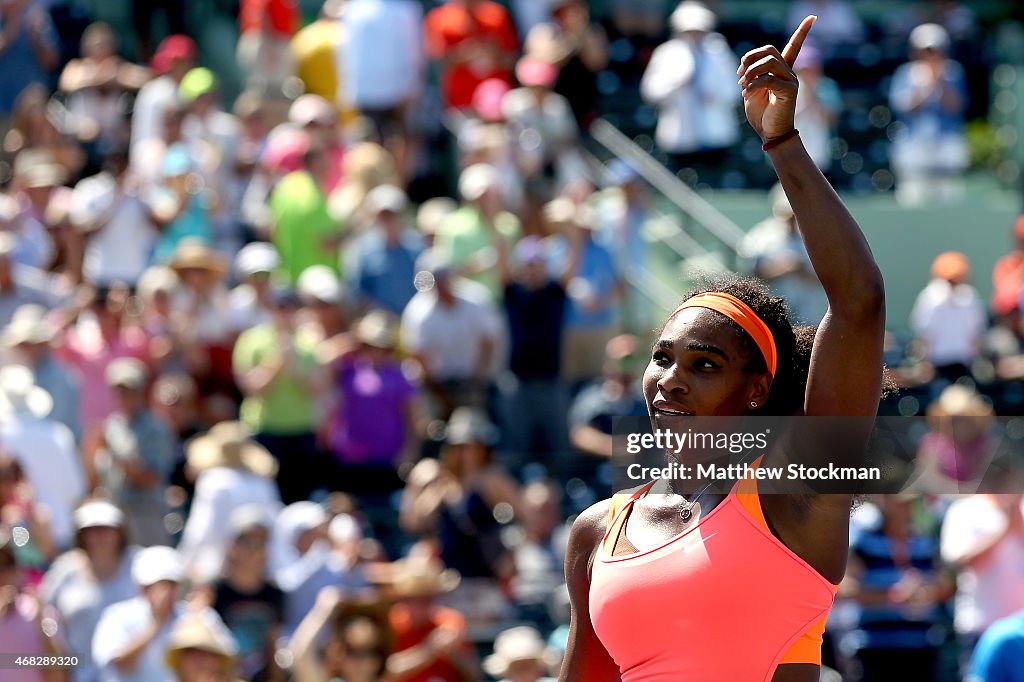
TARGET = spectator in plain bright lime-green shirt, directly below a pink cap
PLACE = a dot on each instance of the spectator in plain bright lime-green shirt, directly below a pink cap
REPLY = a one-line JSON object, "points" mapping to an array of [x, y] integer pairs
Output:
{"points": [[304, 231]]}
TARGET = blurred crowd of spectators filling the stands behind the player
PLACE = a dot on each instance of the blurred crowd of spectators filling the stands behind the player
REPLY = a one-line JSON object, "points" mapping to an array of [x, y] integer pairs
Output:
{"points": [[310, 386]]}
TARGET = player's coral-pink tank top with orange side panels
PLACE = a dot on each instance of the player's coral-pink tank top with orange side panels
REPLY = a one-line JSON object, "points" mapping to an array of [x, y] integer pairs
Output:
{"points": [[726, 601]]}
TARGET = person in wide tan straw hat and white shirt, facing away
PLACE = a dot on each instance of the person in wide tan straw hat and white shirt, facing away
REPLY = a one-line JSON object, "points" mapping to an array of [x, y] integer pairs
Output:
{"points": [[232, 472]]}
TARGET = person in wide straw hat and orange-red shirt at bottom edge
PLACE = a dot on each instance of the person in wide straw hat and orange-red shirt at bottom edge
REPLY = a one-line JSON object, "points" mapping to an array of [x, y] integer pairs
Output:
{"points": [[431, 643]]}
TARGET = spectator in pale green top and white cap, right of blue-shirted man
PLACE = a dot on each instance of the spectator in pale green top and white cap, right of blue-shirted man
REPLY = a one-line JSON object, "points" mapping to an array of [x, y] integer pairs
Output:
{"points": [[467, 238]]}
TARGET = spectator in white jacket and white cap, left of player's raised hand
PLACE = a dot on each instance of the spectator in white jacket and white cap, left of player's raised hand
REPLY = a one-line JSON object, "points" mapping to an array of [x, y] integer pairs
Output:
{"points": [[692, 80]]}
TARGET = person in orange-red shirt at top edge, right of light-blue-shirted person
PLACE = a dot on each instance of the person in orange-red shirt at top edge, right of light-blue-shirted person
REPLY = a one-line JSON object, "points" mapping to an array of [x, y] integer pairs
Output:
{"points": [[474, 40]]}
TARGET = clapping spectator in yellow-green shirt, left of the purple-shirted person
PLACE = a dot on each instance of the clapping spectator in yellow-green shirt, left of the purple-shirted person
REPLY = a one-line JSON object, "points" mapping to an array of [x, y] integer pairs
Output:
{"points": [[277, 371]]}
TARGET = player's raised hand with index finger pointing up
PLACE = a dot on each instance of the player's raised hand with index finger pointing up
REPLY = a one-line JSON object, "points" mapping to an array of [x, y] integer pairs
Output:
{"points": [[771, 84]]}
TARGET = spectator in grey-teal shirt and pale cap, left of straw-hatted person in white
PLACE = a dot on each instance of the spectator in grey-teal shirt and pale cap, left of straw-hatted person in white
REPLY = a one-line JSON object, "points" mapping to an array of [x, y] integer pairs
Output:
{"points": [[132, 455]]}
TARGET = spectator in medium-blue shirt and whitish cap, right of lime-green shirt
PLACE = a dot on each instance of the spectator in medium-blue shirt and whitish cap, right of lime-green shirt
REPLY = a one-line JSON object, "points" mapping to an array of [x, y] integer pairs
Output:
{"points": [[381, 264]]}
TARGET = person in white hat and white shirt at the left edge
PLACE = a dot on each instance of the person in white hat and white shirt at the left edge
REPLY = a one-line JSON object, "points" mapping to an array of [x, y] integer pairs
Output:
{"points": [[45, 448]]}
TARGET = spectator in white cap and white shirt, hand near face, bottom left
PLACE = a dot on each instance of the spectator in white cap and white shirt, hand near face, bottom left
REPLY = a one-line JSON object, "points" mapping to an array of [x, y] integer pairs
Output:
{"points": [[132, 637]]}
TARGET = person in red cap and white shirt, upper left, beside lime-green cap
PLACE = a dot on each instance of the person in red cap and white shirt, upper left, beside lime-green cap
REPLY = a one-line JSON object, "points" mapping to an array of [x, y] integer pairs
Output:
{"points": [[175, 58]]}
